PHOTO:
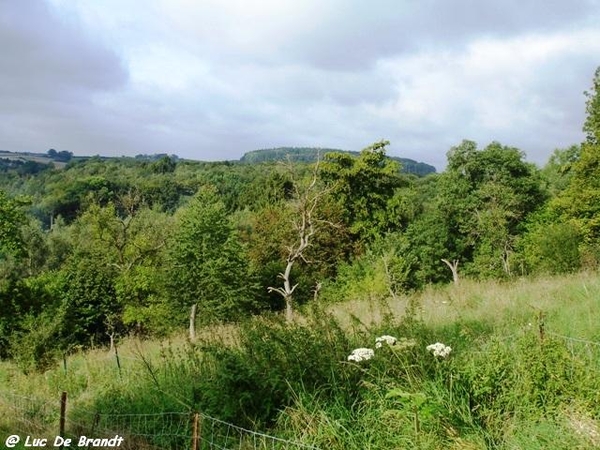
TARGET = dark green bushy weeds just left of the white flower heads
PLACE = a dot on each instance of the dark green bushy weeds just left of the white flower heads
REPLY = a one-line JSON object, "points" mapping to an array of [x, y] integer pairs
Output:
{"points": [[250, 383]]}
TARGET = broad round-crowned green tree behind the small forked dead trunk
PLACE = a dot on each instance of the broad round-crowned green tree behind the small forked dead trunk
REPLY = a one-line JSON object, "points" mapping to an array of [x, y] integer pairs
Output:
{"points": [[481, 201]]}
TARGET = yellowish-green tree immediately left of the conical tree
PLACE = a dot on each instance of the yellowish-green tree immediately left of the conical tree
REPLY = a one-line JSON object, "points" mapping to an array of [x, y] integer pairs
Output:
{"points": [[129, 239]]}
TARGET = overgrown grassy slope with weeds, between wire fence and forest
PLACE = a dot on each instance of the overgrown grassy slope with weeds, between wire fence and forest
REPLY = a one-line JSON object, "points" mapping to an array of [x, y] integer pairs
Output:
{"points": [[524, 371]]}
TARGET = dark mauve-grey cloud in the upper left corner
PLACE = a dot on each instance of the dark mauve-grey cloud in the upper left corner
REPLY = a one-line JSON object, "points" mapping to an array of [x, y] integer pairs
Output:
{"points": [[45, 57]]}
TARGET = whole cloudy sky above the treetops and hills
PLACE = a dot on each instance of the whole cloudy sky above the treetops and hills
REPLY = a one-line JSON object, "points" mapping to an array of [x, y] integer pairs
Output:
{"points": [[212, 79]]}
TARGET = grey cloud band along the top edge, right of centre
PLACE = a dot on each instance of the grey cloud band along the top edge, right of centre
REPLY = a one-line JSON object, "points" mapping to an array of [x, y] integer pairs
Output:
{"points": [[359, 34]]}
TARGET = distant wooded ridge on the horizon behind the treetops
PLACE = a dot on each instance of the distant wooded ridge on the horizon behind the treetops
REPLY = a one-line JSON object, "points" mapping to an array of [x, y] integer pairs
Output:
{"points": [[309, 154]]}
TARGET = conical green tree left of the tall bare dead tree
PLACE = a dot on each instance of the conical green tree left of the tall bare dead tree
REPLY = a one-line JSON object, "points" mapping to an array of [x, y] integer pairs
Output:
{"points": [[208, 270]]}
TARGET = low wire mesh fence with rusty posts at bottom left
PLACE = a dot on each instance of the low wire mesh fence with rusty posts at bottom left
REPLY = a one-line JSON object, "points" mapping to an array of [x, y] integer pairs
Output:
{"points": [[159, 431]]}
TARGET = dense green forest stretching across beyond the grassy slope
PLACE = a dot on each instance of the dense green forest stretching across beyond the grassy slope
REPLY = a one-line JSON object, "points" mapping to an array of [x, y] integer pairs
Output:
{"points": [[104, 249]]}
